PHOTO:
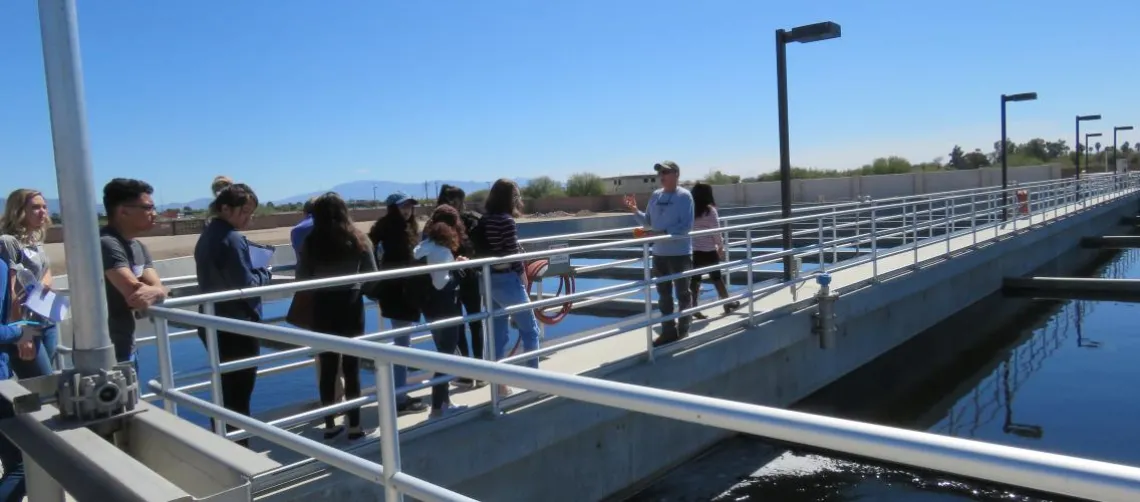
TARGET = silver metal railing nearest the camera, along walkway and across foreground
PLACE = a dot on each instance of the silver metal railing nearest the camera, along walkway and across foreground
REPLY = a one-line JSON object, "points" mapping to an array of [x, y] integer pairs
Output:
{"points": [[946, 216]]}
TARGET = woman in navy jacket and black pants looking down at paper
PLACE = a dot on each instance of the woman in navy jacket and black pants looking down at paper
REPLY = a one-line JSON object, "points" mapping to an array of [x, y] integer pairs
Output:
{"points": [[223, 263]]}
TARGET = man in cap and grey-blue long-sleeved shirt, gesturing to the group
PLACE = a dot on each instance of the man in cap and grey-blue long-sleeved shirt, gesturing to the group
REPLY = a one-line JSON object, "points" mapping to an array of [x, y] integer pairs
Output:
{"points": [[670, 212]]}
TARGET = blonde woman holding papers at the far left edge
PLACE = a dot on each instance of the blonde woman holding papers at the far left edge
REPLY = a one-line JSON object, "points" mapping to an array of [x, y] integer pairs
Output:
{"points": [[23, 228]]}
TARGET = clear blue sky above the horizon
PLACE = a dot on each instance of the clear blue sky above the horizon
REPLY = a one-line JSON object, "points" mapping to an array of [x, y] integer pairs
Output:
{"points": [[299, 95]]}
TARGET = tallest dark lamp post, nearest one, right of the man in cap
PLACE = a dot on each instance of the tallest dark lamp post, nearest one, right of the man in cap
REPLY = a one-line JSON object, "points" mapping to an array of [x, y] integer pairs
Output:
{"points": [[803, 35]]}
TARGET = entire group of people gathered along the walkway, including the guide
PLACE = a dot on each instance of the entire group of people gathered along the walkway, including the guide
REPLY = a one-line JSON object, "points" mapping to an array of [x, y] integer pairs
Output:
{"points": [[329, 245]]}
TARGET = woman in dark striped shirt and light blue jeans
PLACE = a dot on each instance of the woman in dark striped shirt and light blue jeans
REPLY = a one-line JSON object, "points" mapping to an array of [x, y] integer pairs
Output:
{"points": [[509, 287]]}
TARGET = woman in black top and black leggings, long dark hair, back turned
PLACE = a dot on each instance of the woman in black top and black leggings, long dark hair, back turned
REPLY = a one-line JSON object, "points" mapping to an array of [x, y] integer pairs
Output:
{"points": [[337, 248]]}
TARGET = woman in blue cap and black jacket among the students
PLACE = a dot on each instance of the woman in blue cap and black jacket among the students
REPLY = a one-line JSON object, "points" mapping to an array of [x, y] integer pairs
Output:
{"points": [[396, 236]]}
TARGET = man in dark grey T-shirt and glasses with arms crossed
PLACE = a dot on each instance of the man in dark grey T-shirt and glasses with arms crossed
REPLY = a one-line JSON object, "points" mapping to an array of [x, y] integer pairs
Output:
{"points": [[132, 281]]}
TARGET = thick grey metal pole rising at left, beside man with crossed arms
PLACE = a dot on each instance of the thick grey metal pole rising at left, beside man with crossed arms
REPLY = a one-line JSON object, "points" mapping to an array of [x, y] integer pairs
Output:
{"points": [[92, 350]]}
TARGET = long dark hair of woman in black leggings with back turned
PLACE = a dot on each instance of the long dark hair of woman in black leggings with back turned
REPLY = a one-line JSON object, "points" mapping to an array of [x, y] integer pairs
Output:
{"points": [[333, 237]]}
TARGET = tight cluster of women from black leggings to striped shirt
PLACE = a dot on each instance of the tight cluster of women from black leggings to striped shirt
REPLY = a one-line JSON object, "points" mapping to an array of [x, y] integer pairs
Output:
{"points": [[329, 245]]}
